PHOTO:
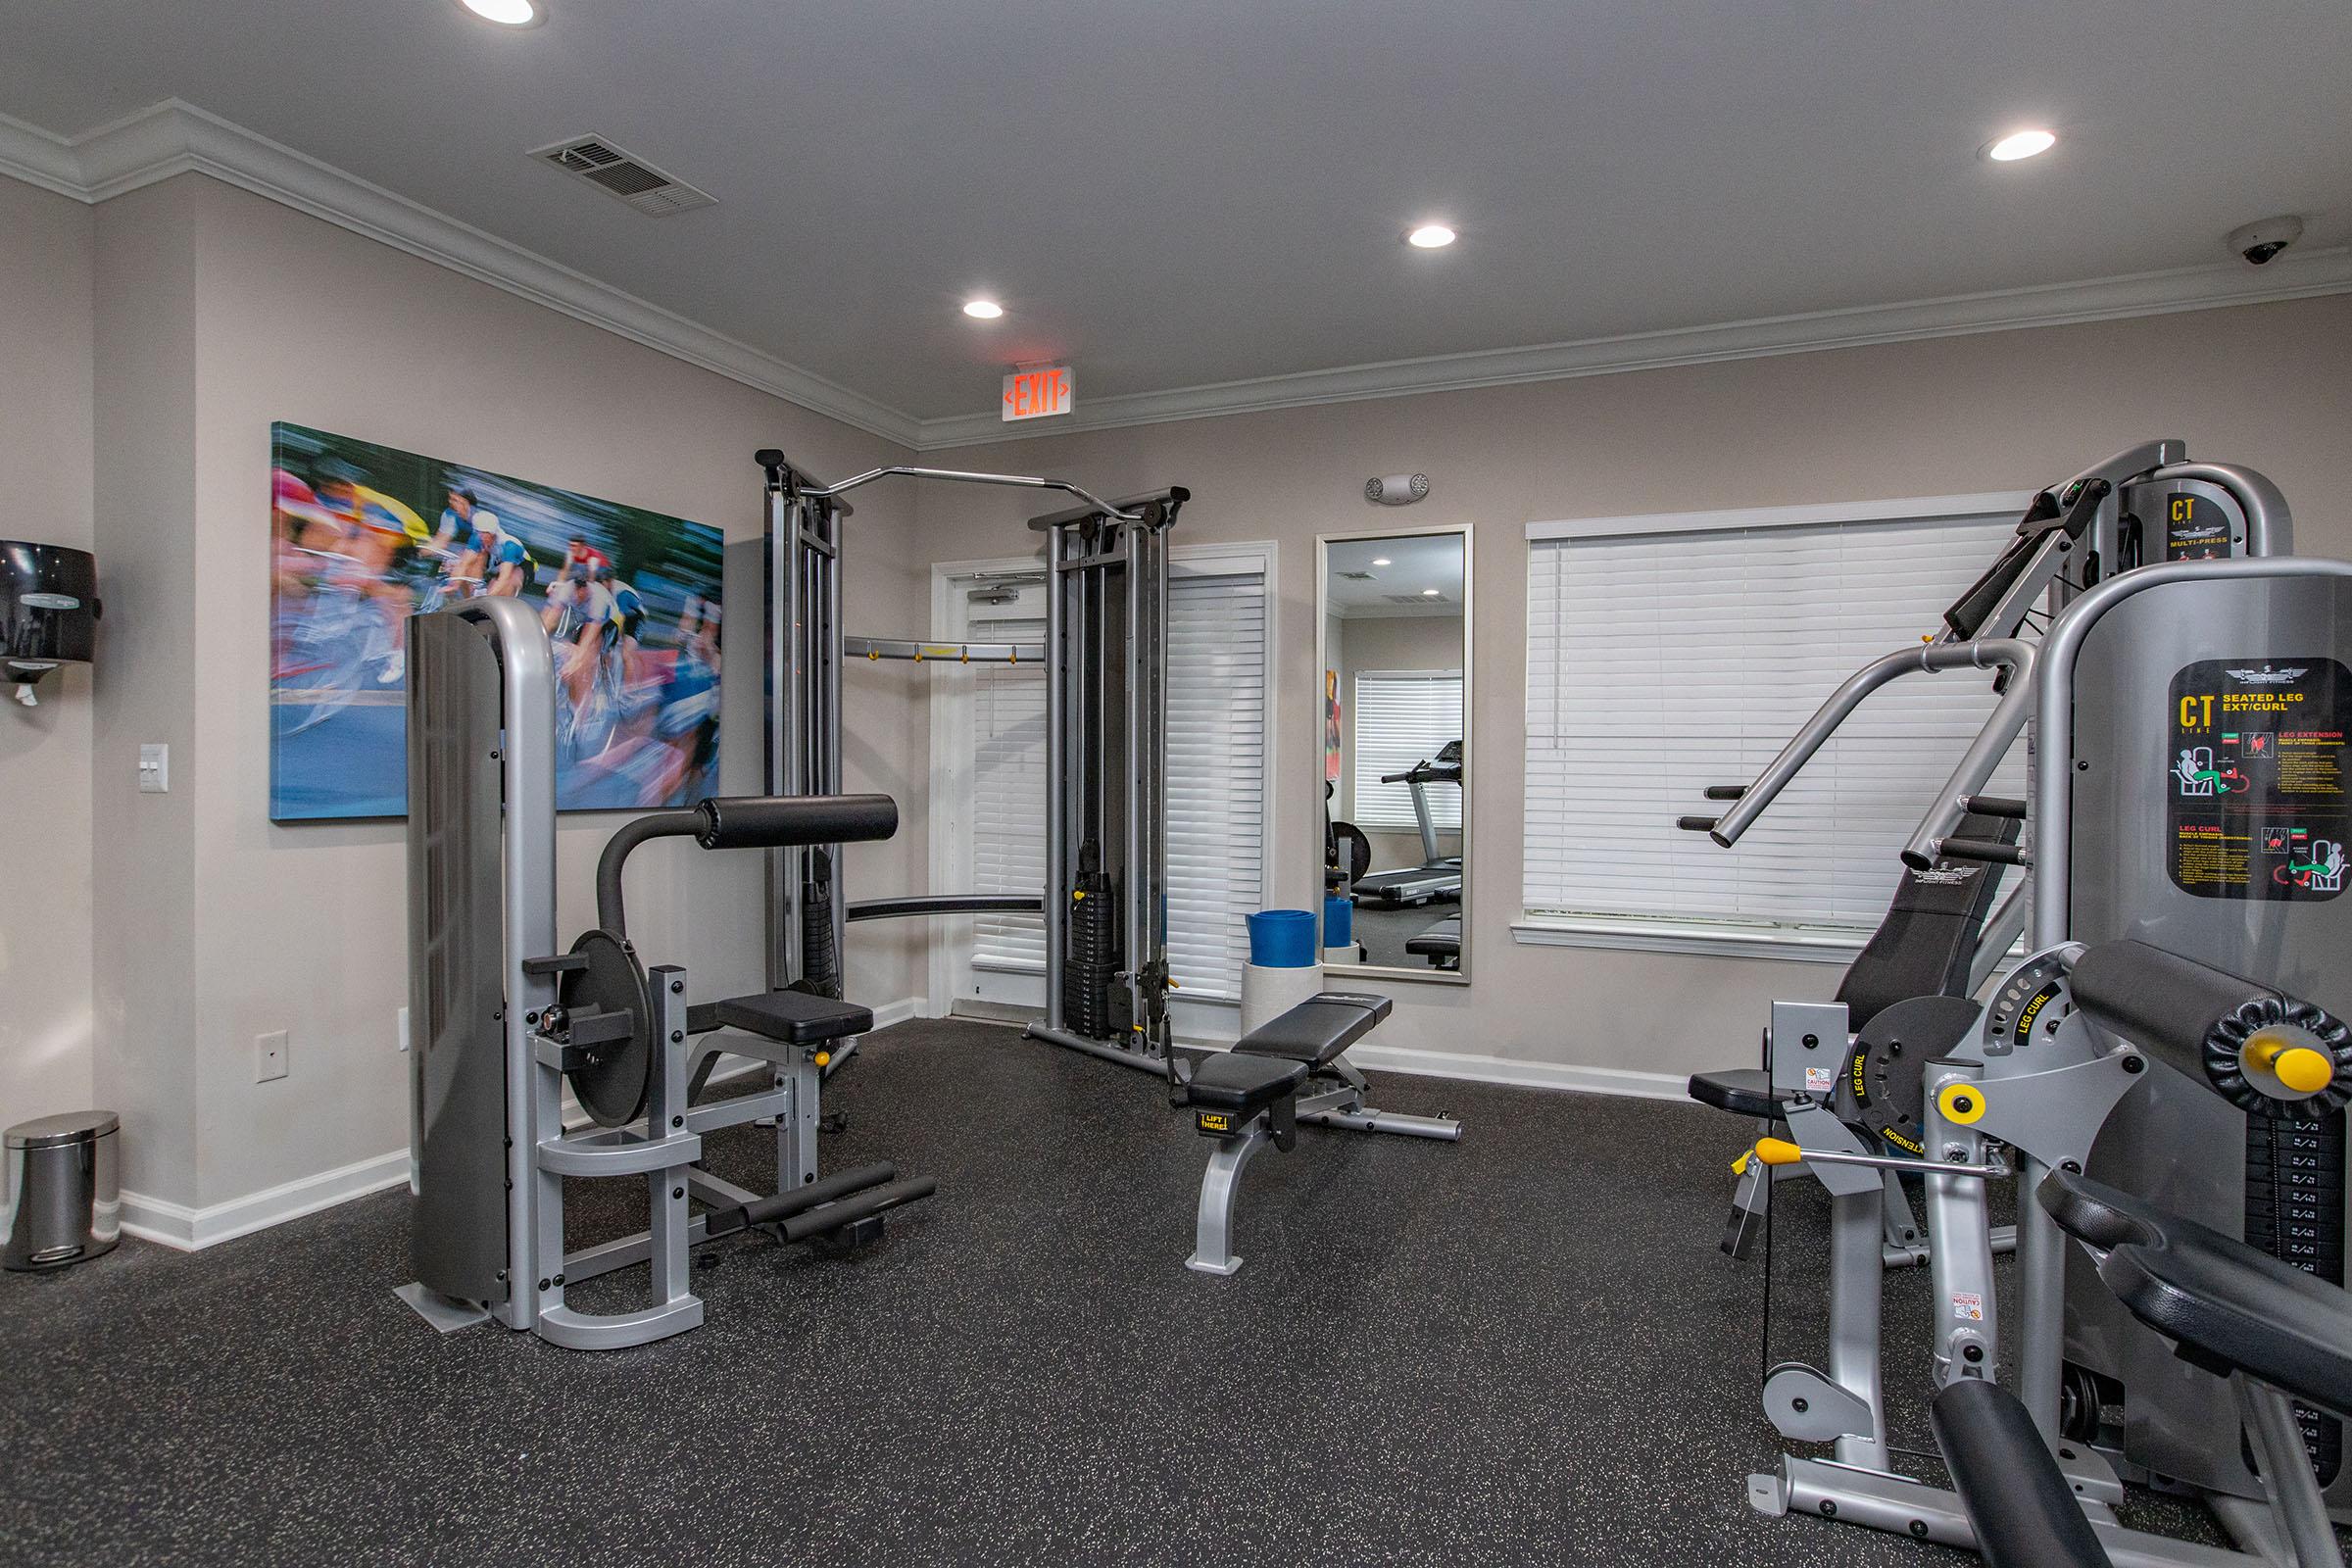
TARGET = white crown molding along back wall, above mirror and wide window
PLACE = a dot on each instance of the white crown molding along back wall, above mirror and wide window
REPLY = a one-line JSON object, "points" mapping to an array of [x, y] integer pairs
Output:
{"points": [[2102, 300]]}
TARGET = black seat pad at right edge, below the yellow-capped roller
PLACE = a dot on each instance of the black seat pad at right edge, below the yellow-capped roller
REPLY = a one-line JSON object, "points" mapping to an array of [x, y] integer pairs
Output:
{"points": [[2219, 1301]]}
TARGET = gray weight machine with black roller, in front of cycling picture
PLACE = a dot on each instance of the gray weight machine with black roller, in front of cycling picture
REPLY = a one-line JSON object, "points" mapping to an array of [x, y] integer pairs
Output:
{"points": [[505, 1021]]}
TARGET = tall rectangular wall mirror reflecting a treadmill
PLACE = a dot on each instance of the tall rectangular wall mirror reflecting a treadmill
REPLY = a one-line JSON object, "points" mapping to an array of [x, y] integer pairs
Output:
{"points": [[1396, 735]]}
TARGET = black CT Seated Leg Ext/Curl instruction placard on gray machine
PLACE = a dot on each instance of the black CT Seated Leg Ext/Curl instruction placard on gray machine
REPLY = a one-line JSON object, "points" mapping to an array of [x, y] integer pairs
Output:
{"points": [[2257, 779]]}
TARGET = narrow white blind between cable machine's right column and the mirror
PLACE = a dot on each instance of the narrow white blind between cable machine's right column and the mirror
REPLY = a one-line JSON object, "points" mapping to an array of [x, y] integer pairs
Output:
{"points": [[1217, 777]]}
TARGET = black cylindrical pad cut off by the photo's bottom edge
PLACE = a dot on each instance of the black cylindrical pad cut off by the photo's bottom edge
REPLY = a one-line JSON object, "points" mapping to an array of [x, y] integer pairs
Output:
{"points": [[2017, 1499]]}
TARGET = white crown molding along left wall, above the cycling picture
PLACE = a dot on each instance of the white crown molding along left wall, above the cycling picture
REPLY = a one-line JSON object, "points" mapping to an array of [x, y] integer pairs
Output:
{"points": [[175, 138]]}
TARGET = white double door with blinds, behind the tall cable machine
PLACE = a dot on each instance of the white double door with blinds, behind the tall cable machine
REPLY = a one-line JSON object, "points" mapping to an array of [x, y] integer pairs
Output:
{"points": [[991, 779]]}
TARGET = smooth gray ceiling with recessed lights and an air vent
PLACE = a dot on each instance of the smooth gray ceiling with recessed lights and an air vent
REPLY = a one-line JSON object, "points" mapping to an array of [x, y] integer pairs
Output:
{"points": [[1198, 192]]}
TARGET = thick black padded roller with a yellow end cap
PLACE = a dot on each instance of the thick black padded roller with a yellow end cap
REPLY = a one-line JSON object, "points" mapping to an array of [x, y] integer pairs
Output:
{"points": [[2198, 1019]]}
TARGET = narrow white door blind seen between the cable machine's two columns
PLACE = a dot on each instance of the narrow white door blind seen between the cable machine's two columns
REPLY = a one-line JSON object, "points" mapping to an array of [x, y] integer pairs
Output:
{"points": [[1008, 793]]}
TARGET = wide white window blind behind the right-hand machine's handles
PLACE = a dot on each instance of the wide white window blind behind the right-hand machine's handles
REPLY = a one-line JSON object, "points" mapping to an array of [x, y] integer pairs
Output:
{"points": [[1666, 662]]}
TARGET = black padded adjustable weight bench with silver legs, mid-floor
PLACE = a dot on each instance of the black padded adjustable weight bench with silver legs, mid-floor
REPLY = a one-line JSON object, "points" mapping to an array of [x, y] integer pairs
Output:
{"points": [[1250, 1097]]}
